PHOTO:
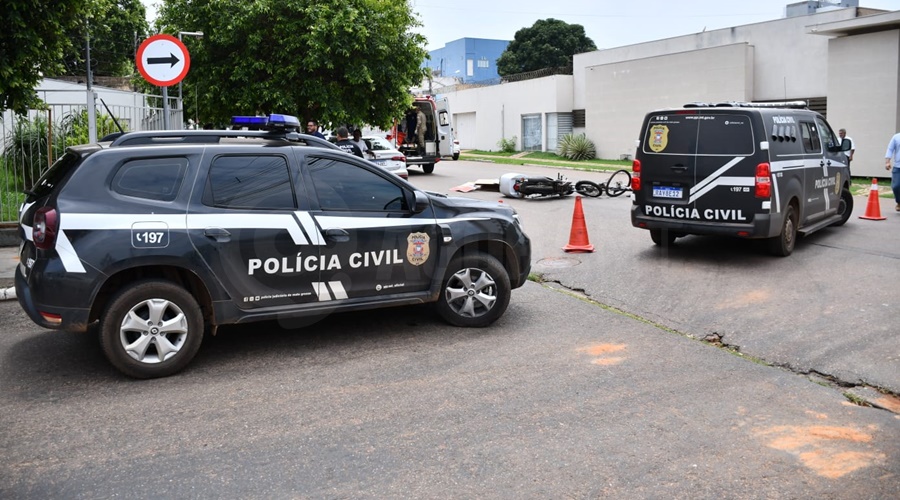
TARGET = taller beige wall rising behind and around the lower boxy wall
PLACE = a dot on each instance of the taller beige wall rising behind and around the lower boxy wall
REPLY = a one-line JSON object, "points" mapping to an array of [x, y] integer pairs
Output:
{"points": [[790, 63]]}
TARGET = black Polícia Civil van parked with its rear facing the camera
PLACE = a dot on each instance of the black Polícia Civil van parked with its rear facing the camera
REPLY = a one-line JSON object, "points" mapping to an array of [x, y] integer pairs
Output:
{"points": [[750, 170]]}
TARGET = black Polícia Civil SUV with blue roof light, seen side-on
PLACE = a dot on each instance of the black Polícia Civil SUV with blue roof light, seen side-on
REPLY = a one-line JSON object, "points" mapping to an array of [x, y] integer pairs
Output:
{"points": [[159, 236]]}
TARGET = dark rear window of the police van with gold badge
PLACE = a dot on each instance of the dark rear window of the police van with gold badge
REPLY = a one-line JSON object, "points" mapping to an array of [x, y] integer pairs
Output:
{"points": [[699, 134]]}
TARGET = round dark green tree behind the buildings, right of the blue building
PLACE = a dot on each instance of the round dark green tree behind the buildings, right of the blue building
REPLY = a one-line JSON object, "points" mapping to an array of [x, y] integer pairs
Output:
{"points": [[548, 43]]}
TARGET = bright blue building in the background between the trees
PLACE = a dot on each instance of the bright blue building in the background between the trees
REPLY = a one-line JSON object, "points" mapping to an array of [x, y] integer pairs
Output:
{"points": [[470, 60]]}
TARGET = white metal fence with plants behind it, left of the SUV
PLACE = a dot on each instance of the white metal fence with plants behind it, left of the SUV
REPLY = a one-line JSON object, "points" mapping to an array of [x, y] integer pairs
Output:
{"points": [[29, 143]]}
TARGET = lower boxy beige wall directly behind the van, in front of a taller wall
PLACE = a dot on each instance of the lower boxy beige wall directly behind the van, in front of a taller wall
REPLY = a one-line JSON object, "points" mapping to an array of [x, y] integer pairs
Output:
{"points": [[619, 94]]}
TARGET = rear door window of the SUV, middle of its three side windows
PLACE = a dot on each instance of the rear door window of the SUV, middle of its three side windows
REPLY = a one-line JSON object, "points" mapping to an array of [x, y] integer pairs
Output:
{"points": [[259, 182]]}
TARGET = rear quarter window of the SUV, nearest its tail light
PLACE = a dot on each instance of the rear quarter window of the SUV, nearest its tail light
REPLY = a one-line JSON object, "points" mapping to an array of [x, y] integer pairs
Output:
{"points": [[151, 178]]}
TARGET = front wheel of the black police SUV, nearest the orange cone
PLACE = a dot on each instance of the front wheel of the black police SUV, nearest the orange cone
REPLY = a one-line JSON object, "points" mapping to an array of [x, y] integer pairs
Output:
{"points": [[475, 291]]}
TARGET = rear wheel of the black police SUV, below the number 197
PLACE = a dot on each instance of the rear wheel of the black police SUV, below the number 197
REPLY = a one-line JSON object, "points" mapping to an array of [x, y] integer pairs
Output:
{"points": [[125, 324]]}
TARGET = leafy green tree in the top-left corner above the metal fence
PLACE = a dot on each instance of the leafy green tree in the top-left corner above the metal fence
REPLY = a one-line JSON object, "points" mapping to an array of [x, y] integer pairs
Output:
{"points": [[32, 43]]}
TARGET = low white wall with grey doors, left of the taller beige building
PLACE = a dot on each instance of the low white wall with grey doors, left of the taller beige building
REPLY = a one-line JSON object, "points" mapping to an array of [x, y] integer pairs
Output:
{"points": [[498, 109]]}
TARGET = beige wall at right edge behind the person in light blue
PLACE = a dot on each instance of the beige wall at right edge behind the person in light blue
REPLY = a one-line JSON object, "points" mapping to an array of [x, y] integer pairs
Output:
{"points": [[863, 87]]}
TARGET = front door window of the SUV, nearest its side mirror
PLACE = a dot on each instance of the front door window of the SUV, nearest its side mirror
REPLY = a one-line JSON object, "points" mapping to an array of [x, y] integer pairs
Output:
{"points": [[344, 186]]}
